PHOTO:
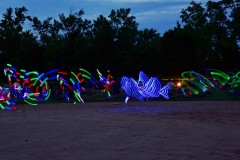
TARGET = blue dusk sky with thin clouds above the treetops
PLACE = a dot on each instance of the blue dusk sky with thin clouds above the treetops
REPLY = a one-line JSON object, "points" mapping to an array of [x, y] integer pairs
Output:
{"points": [[157, 14]]}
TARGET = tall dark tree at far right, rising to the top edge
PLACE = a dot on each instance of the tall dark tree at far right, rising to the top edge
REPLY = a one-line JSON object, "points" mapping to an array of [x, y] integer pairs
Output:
{"points": [[213, 33]]}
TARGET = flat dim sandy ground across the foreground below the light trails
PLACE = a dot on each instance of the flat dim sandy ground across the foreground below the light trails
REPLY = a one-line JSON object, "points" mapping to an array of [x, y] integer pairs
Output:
{"points": [[164, 130]]}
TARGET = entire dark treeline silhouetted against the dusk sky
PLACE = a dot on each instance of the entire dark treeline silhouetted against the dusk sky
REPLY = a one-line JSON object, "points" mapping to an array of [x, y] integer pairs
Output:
{"points": [[207, 37]]}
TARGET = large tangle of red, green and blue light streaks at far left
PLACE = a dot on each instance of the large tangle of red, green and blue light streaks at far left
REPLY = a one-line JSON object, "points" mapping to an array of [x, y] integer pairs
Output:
{"points": [[33, 87]]}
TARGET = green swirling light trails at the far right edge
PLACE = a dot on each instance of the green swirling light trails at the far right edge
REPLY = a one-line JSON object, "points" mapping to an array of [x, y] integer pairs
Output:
{"points": [[195, 83]]}
